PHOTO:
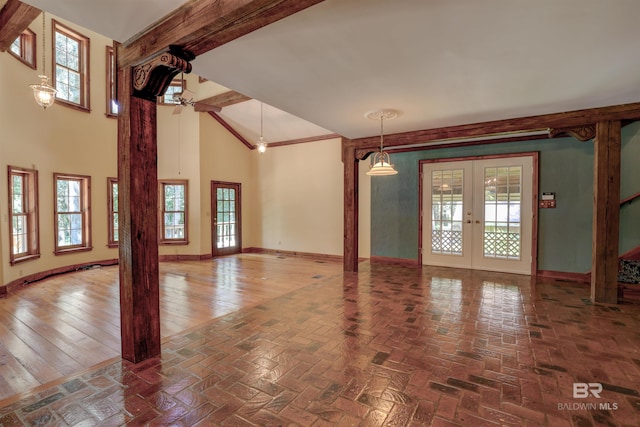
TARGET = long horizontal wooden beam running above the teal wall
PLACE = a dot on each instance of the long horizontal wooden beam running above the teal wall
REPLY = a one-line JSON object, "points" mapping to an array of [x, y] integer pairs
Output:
{"points": [[570, 119]]}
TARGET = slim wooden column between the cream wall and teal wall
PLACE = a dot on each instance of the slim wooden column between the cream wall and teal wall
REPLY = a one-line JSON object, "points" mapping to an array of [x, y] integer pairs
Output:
{"points": [[350, 250]]}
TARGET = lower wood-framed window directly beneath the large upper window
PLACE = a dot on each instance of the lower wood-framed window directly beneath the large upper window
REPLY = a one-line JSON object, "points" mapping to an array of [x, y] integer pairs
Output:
{"points": [[72, 213]]}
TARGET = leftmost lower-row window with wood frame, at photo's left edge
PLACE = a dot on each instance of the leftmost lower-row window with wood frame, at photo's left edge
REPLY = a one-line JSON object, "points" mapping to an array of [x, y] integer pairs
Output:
{"points": [[23, 214]]}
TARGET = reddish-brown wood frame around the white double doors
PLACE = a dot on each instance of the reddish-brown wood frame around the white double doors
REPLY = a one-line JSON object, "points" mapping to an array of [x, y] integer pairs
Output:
{"points": [[534, 197]]}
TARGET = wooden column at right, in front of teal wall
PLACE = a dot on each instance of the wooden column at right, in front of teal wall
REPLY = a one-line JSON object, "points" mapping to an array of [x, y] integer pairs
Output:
{"points": [[606, 213]]}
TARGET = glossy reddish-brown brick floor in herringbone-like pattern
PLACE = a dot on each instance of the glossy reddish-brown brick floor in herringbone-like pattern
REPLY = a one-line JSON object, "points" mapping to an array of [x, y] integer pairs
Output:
{"points": [[391, 345]]}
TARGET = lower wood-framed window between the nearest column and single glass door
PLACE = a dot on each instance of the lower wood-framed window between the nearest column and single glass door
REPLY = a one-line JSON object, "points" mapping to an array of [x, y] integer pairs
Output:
{"points": [[173, 220]]}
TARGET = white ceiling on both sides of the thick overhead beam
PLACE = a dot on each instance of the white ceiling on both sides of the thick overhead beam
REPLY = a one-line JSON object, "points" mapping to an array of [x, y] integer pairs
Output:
{"points": [[437, 62]]}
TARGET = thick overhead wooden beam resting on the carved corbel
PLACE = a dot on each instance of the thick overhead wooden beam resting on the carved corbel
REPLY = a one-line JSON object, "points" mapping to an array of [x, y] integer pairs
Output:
{"points": [[199, 26]]}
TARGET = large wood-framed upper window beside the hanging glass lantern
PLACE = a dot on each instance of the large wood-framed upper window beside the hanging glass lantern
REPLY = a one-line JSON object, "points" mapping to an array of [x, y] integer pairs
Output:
{"points": [[71, 63]]}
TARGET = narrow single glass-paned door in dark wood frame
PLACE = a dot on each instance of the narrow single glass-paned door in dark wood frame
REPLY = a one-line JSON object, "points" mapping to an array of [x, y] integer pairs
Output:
{"points": [[226, 234]]}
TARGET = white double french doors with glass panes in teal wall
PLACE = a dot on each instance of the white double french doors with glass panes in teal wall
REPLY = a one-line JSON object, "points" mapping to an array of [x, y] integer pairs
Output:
{"points": [[478, 214]]}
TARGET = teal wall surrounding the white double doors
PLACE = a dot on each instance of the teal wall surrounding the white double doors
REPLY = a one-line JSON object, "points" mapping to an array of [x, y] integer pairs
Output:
{"points": [[565, 167]]}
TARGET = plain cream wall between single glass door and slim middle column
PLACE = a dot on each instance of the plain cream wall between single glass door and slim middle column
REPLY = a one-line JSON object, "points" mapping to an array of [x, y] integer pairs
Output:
{"points": [[300, 194]]}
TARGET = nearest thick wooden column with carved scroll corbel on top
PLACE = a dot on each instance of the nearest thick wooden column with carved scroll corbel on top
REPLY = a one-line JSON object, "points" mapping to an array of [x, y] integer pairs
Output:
{"points": [[138, 202]]}
